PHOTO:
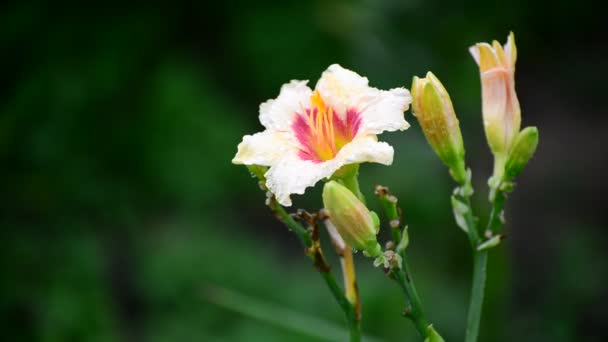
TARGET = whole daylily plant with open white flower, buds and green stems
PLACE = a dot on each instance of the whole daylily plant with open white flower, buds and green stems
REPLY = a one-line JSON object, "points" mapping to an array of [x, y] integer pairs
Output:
{"points": [[326, 132]]}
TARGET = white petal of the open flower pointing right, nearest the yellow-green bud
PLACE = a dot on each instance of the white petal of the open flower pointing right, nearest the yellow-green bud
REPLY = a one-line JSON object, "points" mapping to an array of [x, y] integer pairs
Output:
{"points": [[384, 110]]}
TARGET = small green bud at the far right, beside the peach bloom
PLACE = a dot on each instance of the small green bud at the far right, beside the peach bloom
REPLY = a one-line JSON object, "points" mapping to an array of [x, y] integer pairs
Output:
{"points": [[523, 149]]}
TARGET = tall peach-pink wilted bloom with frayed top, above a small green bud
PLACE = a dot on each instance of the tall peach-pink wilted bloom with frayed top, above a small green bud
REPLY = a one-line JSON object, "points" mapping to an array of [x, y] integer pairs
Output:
{"points": [[500, 107]]}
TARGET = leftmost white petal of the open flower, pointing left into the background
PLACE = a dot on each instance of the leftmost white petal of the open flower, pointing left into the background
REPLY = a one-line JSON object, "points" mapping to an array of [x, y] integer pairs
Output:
{"points": [[264, 148]]}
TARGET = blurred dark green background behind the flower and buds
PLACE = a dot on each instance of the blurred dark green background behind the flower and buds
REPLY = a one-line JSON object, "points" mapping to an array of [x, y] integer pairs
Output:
{"points": [[122, 218]]}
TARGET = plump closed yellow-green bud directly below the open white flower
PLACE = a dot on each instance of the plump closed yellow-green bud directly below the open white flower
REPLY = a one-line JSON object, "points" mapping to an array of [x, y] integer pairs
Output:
{"points": [[352, 219]]}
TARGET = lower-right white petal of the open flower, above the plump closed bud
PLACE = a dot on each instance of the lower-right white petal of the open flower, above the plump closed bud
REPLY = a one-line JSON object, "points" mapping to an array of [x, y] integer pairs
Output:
{"points": [[365, 149]]}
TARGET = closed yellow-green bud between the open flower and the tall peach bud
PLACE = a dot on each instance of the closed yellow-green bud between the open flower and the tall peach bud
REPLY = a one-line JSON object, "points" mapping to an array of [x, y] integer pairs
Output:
{"points": [[433, 109]]}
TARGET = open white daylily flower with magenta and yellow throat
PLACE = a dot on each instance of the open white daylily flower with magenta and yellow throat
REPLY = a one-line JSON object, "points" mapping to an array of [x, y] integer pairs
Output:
{"points": [[310, 134]]}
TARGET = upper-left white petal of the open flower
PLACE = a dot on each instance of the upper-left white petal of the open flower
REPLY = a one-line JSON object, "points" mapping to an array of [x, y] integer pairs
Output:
{"points": [[278, 113]]}
